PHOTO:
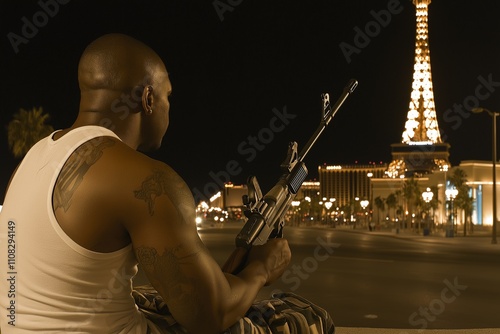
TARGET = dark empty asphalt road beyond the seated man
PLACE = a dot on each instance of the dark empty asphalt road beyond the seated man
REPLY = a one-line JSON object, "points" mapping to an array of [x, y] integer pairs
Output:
{"points": [[374, 280]]}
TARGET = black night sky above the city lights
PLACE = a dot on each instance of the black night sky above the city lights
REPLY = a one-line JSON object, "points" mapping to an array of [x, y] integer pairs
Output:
{"points": [[244, 69]]}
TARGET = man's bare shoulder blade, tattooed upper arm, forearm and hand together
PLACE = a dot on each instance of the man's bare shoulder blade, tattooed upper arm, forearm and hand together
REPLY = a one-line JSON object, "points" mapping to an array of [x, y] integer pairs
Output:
{"points": [[108, 195]]}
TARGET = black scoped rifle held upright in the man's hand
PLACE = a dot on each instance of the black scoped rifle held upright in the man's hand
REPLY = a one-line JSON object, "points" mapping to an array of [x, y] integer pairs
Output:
{"points": [[265, 214]]}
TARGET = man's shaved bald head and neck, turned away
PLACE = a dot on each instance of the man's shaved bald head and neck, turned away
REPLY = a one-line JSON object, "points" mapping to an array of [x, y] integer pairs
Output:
{"points": [[125, 87]]}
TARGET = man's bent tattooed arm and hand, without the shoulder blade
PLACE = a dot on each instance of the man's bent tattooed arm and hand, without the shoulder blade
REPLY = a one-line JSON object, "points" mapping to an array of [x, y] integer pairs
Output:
{"points": [[161, 224]]}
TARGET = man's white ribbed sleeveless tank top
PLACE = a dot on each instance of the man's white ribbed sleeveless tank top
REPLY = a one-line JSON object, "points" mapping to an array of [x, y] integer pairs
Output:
{"points": [[49, 283]]}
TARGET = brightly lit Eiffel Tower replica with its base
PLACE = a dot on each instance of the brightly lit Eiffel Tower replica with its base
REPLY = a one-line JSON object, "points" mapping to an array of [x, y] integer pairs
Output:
{"points": [[421, 150]]}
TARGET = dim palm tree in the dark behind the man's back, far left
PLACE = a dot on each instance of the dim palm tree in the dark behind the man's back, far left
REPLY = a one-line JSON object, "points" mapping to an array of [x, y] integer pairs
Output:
{"points": [[26, 128]]}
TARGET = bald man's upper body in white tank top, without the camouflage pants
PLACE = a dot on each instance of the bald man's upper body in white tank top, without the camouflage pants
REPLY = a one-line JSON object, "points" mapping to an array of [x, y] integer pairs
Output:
{"points": [[85, 207]]}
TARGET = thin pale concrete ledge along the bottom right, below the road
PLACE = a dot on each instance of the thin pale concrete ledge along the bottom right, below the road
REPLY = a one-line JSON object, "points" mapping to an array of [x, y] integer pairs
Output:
{"points": [[356, 330]]}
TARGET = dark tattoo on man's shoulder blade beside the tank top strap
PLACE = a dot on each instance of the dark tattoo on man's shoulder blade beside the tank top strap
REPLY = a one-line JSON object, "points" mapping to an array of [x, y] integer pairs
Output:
{"points": [[75, 169]]}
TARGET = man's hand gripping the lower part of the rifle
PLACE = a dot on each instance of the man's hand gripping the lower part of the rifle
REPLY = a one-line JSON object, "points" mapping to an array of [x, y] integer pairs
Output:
{"points": [[275, 256]]}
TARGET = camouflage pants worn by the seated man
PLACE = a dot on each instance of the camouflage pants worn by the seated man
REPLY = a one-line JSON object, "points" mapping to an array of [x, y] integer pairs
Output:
{"points": [[286, 313]]}
